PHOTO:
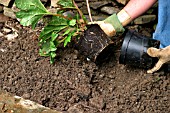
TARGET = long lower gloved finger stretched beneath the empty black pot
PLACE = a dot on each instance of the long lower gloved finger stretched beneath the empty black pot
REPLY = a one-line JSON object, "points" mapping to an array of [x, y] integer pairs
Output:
{"points": [[156, 67]]}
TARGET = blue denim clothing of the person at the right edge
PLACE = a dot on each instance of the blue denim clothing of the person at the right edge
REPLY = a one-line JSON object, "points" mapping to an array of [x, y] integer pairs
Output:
{"points": [[162, 32]]}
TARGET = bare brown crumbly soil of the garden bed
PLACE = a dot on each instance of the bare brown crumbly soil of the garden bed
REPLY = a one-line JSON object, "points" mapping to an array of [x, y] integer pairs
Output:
{"points": [[76, 85]]}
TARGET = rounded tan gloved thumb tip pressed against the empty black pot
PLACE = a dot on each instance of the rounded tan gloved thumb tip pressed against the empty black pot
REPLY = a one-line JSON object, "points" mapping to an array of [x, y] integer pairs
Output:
{"points": [[154, 52]]}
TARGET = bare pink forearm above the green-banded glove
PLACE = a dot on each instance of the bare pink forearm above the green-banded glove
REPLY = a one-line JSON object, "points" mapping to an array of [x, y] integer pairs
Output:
{"points": [[135, 8]]}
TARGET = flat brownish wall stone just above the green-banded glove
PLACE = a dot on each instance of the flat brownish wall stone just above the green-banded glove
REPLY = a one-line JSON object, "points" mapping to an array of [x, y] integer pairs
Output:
{"points": [[109, 10]]}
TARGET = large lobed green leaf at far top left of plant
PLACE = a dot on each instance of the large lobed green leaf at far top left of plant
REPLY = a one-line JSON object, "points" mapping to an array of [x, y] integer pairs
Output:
{"points": [[31, 11]]}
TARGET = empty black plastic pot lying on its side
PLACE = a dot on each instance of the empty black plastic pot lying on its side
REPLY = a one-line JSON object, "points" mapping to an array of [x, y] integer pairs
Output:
{"points": [[134, 50]]}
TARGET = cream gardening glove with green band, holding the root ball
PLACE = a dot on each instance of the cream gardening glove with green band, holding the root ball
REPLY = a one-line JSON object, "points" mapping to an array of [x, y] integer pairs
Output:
{"points": [[113, 25]]}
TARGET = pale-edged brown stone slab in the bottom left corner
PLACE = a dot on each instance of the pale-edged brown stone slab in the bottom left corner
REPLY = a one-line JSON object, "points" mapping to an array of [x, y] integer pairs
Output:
{"points": [[17, 104]]}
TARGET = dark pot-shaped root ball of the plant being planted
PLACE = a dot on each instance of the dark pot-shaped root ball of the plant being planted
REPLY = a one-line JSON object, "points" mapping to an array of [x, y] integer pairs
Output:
{"points": [[95, 45]]}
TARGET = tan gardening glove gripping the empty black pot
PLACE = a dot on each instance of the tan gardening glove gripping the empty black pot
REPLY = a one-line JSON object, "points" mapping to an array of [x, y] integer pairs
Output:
{"points": [[162, 54]]}
